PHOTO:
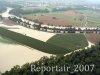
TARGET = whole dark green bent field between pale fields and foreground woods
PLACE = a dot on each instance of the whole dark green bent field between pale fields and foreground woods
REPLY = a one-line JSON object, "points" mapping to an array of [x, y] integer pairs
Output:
{"points": [[59, 44]]}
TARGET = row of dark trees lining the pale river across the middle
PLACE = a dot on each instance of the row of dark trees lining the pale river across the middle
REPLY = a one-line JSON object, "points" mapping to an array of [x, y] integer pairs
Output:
{"points": [[38, 26]]}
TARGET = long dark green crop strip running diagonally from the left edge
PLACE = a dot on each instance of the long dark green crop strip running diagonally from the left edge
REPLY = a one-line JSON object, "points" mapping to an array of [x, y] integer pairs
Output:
{"points": [[33, 43]]}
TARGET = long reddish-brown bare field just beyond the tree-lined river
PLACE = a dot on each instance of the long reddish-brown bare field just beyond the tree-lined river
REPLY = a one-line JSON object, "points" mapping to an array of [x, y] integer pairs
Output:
{"points": [[54, 21]]}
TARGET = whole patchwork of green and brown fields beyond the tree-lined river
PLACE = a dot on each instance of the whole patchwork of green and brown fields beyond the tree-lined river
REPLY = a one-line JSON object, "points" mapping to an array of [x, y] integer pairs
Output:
{"points": [[72, 17]]}
